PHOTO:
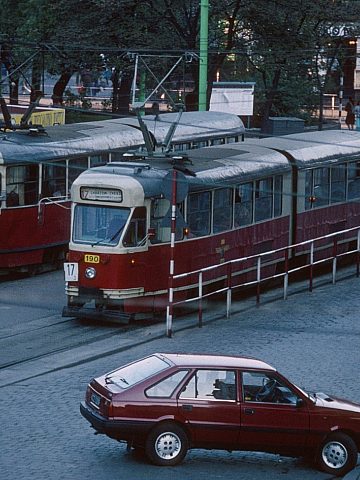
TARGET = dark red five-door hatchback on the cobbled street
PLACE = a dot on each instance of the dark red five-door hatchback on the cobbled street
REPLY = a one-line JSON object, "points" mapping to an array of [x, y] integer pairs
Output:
{"points": [[169, 403]]}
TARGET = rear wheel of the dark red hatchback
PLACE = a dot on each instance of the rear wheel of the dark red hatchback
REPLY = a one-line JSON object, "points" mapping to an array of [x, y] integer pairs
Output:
{"points": [[167, 444]]}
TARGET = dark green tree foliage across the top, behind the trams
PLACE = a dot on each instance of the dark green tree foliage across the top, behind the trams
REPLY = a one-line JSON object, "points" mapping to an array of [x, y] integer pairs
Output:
{"points": [[287, 46]]}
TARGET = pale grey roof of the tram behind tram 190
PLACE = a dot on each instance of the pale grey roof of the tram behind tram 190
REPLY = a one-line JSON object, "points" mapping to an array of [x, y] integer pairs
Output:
{"points": [[72, 140]]}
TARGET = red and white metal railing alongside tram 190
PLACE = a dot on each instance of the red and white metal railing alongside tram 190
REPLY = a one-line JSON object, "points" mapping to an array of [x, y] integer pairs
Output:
{"points": [[229, 265]]}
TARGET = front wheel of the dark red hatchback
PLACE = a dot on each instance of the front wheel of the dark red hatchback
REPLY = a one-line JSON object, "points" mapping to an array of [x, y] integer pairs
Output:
{"points": [[337, 454]]}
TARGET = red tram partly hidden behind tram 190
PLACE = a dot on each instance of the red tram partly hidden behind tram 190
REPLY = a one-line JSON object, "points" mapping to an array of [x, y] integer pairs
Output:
{"points": [[37, 169]]}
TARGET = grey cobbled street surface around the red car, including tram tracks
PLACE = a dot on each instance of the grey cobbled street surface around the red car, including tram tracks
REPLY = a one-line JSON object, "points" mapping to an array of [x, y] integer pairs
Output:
{"points": [[47, 361]]}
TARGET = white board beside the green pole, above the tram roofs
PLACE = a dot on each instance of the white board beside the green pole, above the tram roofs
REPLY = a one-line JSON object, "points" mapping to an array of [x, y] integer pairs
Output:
{"points": [[233, 97]]}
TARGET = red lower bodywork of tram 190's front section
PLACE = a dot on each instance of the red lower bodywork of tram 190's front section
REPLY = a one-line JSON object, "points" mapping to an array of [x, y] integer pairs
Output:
{"points": [[138, 281]]}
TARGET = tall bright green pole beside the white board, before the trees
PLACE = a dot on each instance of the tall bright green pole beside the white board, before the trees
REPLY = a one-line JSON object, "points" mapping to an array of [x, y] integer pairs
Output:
{"points": [[204, 29]]}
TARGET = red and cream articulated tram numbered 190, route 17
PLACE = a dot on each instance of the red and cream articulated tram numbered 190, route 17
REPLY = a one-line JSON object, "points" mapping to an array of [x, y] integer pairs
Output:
{"points": [[242, 199]]}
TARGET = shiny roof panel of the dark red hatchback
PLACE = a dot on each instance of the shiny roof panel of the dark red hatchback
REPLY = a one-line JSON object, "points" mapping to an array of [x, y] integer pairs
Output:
{"points": [[215, 361]]}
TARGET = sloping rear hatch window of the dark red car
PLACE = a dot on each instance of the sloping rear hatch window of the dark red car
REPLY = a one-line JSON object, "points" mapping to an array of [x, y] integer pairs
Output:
{"points": [[127, 376]]}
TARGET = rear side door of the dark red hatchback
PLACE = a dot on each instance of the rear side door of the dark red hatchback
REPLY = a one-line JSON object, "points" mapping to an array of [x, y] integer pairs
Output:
{"points": [[209, 405]]}
